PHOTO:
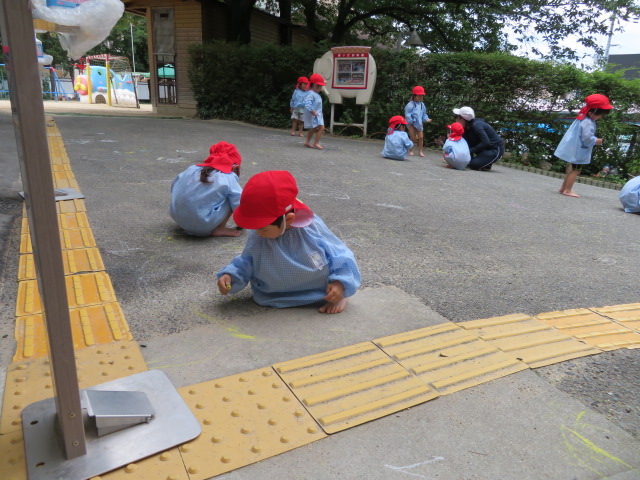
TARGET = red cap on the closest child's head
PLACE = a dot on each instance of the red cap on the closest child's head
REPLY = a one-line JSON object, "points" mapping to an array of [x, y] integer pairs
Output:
{"points": [[267, 196]]}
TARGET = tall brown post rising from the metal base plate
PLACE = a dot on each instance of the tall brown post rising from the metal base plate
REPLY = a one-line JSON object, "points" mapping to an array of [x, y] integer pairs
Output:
{"points": [[19, 49]]}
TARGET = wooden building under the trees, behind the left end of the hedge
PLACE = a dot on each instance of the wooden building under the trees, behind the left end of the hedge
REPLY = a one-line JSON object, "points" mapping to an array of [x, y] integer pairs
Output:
{"points": [[174, 25]]}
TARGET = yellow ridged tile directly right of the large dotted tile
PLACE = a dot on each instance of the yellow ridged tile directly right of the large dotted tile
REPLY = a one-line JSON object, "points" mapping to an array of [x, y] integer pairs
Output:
{"points": [[349, 386]]}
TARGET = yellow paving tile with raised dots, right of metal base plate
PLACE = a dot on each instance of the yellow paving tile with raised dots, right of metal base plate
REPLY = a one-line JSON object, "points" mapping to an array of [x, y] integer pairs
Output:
{"points": [[245, 418]]}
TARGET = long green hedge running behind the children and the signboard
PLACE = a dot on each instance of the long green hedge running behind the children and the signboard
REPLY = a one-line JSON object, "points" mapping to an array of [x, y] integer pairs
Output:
{"points": [[519, 97]]}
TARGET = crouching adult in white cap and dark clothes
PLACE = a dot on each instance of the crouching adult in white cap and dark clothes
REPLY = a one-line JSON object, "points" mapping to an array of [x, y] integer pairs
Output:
{"points": [[485, 144]]}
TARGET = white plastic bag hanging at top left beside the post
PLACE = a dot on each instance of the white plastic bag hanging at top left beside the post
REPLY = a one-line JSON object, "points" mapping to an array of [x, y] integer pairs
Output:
{"points": [[93, 21]]}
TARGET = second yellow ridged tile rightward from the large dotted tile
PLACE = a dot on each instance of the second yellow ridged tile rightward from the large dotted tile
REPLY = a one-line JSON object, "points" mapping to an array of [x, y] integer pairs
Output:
{"points": [[449, 358]]}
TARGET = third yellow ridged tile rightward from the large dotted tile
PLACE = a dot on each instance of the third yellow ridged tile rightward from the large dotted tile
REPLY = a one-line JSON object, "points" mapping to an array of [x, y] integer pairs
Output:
{"points": [[529, 340]]}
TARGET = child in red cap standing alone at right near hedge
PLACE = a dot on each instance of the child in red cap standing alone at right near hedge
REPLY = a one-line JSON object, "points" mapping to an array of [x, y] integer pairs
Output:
{"points": [[576, 146]]}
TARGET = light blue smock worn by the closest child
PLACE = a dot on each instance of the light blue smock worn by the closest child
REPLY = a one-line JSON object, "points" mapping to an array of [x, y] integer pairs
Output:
{"points": [[295, 268]]}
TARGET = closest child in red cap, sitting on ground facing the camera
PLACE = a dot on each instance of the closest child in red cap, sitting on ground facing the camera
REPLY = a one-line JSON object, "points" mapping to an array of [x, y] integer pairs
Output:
{"points": [[291, 258]]}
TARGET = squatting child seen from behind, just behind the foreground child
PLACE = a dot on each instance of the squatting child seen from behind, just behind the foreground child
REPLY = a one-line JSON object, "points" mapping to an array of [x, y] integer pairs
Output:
{"points": [[204, 196]]}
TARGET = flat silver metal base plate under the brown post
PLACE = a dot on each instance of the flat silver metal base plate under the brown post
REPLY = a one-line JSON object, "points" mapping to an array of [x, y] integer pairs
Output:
{"points": [[173, 424]]}
